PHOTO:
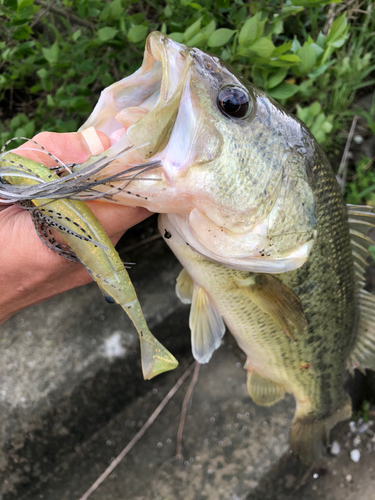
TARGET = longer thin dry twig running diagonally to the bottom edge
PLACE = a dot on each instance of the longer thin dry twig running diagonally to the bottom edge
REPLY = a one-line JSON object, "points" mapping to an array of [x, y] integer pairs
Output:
{"points": [[139, 434]]}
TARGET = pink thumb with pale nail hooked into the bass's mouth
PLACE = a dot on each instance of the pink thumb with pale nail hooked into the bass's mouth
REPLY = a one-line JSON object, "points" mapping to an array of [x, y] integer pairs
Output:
{"points": [[73, 147]]}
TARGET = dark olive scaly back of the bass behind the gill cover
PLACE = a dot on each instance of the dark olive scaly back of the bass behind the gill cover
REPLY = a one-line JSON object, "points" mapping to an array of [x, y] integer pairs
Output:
{"points": [[325, 285]]}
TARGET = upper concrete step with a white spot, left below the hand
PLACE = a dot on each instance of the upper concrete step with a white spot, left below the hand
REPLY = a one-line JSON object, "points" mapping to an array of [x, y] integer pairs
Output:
{"points": [[68, 365]]}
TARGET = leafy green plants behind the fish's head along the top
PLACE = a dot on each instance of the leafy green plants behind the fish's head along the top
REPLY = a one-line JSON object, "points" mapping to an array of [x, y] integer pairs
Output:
{"points": [[55, 57]]}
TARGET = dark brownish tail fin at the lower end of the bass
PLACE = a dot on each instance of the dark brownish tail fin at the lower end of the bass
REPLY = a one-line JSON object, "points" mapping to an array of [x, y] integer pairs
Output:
{"points": [[309, 438]]}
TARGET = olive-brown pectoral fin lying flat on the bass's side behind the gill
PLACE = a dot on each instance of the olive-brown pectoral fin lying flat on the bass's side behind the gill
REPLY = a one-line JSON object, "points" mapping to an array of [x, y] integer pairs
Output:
{"points": [[276, 300]]}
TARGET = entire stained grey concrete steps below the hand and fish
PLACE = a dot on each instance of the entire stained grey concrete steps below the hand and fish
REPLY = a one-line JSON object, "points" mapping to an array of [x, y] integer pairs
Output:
{"points": [[72, 397]]}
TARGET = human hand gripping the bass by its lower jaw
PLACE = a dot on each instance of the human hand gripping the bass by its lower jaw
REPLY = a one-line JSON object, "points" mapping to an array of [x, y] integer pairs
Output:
{"points": [[29, 271]]}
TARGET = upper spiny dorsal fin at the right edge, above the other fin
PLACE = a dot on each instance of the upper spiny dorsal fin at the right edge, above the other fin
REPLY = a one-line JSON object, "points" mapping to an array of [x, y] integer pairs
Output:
{"points": [[361, 223]]}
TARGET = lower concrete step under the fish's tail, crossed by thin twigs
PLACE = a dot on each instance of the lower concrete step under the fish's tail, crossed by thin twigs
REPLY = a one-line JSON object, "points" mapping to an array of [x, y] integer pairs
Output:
{"points": [[229, 443]]}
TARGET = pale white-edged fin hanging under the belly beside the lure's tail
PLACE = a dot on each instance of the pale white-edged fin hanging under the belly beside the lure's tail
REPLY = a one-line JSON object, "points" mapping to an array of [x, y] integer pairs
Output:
{"points": [[206, 325]]}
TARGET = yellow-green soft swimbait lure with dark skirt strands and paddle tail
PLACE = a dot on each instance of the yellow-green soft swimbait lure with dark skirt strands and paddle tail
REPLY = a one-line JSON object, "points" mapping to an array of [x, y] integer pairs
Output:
{"points": [[25, 181]]}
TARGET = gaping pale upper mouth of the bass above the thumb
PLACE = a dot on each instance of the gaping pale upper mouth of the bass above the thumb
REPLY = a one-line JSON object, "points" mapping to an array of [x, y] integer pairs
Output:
{"points": [[141, 110]]}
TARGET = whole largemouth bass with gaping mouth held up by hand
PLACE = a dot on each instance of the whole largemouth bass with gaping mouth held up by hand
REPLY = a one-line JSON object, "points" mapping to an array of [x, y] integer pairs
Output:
{"points": [[253, 211]]}
